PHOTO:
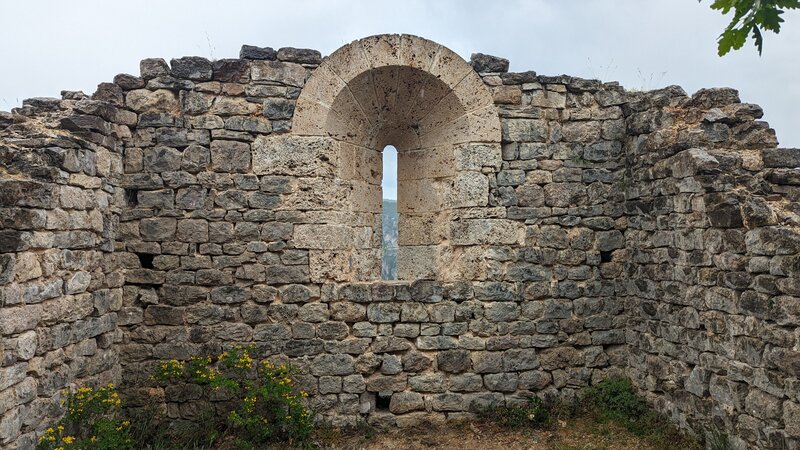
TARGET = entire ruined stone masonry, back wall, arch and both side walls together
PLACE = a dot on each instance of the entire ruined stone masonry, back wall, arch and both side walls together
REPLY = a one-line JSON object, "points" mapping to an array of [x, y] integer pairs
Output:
{"points": [[553, 231]]}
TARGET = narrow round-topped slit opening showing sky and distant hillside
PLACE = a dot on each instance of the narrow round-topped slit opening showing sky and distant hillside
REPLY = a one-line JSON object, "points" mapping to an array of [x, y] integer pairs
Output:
{"points": [[389, 214]]}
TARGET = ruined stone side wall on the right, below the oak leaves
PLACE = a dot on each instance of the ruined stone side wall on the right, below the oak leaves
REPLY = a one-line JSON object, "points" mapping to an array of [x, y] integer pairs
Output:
{"points": [[713, 265]]}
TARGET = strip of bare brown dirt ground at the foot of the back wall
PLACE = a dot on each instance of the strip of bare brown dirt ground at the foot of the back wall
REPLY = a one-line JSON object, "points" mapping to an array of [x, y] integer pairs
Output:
{"points": [[577, 434]]}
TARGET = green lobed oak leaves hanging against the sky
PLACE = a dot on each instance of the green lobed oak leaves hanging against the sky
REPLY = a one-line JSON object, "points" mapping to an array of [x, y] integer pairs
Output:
{"points": [[749, 18]]}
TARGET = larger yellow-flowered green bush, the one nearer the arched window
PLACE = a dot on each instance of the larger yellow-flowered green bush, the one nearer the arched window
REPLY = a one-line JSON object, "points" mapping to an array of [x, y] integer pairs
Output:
{"points": [[268, 407]]}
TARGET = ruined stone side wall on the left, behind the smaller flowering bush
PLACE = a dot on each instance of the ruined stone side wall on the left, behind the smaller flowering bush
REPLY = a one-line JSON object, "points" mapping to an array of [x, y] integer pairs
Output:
{"points": [[60, 287]]}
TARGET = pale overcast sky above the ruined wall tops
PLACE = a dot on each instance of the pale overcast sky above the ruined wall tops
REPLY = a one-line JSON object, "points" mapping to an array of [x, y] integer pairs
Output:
{"points": [[52, 45]]}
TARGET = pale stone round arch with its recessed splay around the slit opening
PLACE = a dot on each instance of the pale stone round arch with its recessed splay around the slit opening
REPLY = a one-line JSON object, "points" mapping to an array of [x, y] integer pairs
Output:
{"points": [[429, 103]]}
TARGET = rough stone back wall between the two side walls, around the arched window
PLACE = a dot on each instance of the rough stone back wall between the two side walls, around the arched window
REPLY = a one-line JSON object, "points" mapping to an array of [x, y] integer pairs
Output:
{"points": [[238, 230]]}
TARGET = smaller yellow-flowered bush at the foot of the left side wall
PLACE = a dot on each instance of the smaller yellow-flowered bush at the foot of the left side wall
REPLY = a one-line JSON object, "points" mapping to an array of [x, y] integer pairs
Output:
{"points": [[92, 421]]}
